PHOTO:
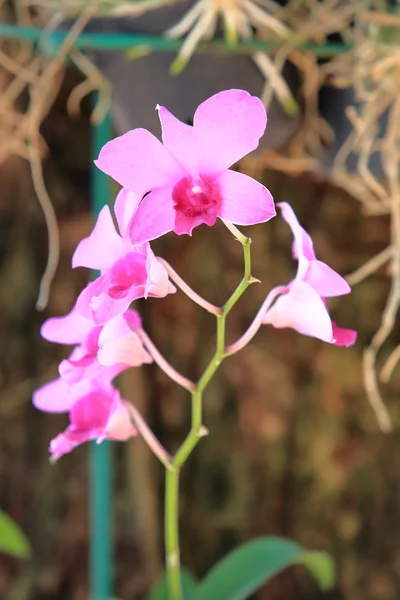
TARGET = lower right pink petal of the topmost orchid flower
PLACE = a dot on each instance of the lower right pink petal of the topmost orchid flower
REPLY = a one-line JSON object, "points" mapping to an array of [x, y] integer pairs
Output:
{"points": [[244, 201]]}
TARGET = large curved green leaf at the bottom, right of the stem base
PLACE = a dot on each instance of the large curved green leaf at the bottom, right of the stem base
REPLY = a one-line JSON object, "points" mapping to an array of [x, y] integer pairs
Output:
{"points": [[251, 565]]}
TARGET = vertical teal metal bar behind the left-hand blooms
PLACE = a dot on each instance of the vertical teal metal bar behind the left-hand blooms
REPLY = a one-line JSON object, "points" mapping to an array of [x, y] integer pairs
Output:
{"points": [[101, 484]]}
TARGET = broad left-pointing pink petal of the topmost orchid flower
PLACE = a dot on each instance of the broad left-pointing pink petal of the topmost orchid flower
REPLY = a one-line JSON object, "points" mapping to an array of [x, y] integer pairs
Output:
{"points": [[138, 161]]}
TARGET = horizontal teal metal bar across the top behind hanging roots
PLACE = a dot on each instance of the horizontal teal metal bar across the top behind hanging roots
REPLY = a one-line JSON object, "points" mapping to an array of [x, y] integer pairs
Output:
{"points": [[125, 41]]}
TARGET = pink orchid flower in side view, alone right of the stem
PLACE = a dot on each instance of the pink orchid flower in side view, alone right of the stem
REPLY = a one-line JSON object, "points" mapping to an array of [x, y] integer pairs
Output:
{"points": [[302, 306]]}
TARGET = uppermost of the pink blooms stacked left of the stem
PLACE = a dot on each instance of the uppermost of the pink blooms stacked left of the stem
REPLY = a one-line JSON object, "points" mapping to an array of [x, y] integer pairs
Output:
{"points": [[127, 272]]}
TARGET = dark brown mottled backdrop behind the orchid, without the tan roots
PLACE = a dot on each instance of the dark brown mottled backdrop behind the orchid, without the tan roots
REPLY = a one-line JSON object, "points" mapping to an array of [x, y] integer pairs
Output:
{"points": [[293, 449]]}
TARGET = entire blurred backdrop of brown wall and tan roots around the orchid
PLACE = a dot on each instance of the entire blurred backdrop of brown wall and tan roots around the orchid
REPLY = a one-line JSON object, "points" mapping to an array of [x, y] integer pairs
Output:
{"points": [[295, 447]]}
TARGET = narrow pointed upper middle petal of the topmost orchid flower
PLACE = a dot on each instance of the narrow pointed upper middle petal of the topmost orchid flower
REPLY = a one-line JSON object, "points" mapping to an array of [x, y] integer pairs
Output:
{"points": [[180, 140]]}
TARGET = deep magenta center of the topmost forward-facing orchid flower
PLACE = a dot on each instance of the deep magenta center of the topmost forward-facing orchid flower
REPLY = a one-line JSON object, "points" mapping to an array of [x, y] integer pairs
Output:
{"points": [[196, 198]]}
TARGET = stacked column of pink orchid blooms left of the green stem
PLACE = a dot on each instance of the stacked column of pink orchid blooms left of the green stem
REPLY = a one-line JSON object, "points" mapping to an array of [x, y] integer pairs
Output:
{"points": [[106, 331]]}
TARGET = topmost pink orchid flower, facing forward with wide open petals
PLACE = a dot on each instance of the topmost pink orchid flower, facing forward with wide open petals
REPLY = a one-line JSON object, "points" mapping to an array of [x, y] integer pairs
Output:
{"points": [[186, 180]]}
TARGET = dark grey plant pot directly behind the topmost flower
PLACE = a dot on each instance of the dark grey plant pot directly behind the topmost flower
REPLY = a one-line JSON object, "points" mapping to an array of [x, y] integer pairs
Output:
{"points": [[140, 84]]}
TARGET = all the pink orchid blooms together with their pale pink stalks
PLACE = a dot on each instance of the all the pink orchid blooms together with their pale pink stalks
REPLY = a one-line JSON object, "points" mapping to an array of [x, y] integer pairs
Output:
{"points": [[176, 185]]}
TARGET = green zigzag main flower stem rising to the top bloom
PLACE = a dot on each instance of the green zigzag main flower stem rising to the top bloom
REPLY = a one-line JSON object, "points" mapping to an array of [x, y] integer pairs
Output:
{"points": [[197, 431]]}
